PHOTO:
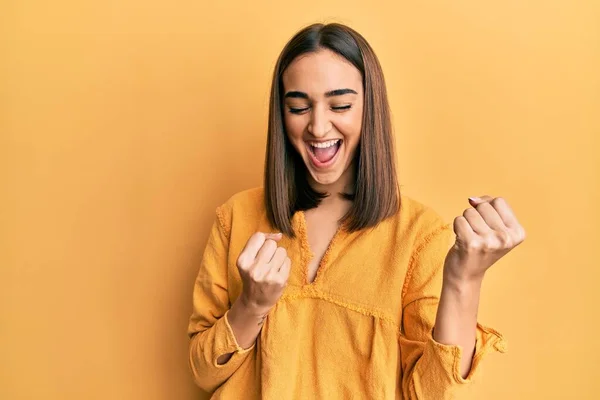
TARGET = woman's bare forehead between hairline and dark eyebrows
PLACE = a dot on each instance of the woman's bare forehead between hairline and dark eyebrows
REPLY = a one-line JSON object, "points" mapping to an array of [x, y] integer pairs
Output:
{"points": [[318, 72]]}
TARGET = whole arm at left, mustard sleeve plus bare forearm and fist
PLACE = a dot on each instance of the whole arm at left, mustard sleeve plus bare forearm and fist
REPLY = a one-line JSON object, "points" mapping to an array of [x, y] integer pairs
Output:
{"points": [[221, 338]]}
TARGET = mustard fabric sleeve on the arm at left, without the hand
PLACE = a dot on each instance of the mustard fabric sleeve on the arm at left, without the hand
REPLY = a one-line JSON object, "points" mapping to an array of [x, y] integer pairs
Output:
{"points": [[210, 333]]}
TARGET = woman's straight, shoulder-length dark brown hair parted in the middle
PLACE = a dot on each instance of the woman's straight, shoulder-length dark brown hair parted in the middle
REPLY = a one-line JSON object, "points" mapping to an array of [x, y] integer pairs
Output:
{"points": [[286, 185]]}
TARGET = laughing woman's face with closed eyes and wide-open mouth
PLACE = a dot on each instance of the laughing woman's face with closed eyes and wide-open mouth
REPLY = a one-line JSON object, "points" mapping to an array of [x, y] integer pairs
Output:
{"points": [[323, 105]]}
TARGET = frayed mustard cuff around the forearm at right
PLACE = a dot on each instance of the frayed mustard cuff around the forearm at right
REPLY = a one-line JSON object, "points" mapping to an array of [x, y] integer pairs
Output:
{"points": [[487, 340]]}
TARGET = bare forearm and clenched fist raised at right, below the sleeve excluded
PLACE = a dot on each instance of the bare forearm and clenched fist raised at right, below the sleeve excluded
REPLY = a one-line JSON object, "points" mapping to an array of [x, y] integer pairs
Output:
{"points": [[485, 233]]}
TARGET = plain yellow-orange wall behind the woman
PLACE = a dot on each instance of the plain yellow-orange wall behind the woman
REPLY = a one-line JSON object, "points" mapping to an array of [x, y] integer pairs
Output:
{"points": [[125, 123]]}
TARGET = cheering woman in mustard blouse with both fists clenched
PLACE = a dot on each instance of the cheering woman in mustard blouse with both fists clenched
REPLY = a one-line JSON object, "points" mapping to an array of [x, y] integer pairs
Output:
{"points": [[341, 303]]}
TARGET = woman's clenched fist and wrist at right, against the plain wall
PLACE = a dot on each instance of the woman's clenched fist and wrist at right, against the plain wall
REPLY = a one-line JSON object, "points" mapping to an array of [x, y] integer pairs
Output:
{"points": [[485, 232]]}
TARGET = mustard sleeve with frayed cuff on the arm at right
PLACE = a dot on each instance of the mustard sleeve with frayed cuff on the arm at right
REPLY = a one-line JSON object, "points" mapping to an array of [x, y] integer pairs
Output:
{"points": [[431, 370]]}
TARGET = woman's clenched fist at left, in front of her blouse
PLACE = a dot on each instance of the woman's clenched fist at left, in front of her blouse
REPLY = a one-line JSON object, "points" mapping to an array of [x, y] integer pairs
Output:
{"points": [[264, 268]]}
